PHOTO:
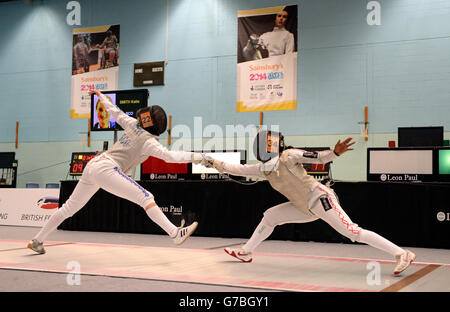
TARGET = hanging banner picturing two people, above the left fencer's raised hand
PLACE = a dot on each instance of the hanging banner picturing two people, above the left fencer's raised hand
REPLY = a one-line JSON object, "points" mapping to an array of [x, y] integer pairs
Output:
{"points": [[95, 65]]}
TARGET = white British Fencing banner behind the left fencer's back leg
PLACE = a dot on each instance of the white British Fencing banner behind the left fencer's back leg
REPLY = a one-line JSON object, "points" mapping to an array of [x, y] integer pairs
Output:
{"points": [[27, 207]]}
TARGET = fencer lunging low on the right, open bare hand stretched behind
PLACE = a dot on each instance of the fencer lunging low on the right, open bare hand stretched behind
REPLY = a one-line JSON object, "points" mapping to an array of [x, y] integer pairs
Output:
{"points": [[309, 199]]}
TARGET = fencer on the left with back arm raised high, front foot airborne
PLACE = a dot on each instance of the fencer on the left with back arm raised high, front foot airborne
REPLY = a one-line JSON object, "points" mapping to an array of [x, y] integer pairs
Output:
{"points": [[108, 171]]}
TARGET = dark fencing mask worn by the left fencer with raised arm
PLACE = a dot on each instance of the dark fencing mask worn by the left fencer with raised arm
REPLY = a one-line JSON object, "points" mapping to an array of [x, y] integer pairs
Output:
{"points": [[153, 119]]}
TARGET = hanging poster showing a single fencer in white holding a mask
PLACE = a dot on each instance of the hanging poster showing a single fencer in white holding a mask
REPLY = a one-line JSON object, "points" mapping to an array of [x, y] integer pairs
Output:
{"points": [[267, 59]]}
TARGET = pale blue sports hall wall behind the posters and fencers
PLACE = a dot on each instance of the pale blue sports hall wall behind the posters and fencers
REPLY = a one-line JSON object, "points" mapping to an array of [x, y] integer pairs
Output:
{"points": [[400, 69]]}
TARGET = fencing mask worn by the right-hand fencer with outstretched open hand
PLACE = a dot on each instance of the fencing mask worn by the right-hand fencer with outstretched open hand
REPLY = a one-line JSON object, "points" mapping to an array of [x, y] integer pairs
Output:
{"points": [[267, 145]]}
